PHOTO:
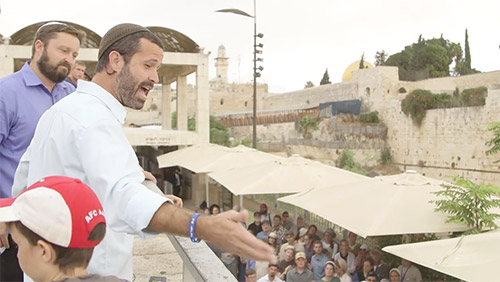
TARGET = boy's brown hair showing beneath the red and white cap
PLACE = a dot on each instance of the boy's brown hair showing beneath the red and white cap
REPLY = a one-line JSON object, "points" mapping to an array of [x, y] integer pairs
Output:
{"points": [[66, 258]]}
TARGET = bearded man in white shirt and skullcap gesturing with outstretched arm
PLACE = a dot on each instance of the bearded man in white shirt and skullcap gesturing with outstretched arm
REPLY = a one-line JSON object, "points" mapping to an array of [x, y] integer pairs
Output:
{"points": [[82, 137]]}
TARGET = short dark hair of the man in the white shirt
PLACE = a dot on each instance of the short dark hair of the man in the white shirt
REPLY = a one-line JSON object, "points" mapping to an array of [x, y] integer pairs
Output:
{"points": [[127, 47]]}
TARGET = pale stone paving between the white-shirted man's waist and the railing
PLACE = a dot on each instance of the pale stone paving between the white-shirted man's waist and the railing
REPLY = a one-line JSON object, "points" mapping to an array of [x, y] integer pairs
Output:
{"points": [[156, 257]]}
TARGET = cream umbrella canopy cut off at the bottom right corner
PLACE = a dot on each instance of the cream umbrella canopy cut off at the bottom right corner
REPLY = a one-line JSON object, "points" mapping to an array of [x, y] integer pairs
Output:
{"points": [[471, 257]]}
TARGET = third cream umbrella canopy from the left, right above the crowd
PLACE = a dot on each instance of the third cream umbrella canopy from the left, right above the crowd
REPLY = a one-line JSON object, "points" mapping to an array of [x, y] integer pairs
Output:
{"points": [[380, 206]]}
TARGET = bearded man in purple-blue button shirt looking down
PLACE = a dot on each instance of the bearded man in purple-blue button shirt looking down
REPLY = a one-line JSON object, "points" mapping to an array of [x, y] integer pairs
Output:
{"points": [[24, 96]]}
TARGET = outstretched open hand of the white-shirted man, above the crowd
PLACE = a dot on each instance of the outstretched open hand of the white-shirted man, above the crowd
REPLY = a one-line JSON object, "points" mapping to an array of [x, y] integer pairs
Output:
{"points": [[230, 235]]}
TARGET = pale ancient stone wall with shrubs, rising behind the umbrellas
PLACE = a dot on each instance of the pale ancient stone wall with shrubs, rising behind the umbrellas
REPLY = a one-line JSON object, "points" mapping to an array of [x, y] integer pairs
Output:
{"points": [[449, 141]]}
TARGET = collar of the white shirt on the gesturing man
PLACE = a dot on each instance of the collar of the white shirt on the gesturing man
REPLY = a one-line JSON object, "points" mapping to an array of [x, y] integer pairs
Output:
{"points": [[107, 98]]}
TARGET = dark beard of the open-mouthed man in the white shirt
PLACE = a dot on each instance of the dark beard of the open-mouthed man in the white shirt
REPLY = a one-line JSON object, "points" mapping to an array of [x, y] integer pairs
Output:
{"points": [[127, 88]]}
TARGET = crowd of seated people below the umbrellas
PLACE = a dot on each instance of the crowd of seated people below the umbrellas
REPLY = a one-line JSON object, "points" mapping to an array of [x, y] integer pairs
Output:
{"points": [[304, 255]]}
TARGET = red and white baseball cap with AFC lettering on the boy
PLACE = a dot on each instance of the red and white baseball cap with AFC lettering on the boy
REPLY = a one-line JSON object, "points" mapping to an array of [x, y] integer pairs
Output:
{"points": [[59, 209]]}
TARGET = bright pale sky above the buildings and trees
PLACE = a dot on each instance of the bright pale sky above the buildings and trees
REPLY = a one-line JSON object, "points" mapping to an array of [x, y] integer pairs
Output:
{"points": [[301, 37]]}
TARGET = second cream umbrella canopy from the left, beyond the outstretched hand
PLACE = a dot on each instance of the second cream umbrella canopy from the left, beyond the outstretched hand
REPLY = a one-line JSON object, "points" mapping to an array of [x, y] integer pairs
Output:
{"points": [[285, 175]]}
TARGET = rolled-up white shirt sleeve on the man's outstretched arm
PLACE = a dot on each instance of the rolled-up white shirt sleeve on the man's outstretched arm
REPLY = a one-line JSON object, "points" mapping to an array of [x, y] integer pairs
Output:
{"points": [[113, 171]]}
